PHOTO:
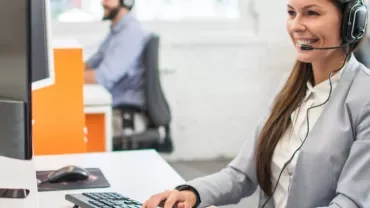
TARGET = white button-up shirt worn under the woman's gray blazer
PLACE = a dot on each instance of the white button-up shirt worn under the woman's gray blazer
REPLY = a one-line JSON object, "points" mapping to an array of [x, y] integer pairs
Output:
{"points": [[295, 135]]}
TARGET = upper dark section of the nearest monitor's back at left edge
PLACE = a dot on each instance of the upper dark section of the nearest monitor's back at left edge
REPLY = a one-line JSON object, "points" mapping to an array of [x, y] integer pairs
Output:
{"points": [[14, 50]]}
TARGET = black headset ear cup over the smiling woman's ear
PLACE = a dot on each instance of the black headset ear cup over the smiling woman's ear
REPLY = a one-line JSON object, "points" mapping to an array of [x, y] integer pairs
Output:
{"points": [[354, 21]]}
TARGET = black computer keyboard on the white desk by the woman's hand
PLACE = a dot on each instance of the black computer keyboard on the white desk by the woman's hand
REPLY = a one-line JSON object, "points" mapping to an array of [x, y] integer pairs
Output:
{"points": [[102, 200]]}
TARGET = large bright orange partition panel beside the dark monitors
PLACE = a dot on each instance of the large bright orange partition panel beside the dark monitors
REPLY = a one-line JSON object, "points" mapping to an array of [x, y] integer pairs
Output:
{"points": [[58, 109]]}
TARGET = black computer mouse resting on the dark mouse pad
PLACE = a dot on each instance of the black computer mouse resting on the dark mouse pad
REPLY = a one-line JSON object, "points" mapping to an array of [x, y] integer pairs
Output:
{"points": [[68, 174]]}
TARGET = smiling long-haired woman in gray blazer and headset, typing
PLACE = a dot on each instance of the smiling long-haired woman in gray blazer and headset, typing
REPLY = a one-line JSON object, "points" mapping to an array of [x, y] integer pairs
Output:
{"points": [[313, 148]]}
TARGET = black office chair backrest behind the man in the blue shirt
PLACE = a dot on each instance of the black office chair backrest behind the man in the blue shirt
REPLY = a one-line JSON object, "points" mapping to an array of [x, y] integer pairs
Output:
{"points": [[158, 110]]}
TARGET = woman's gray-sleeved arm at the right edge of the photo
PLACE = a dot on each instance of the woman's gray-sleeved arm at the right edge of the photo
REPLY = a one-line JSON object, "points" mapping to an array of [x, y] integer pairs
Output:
{"points": [[353, 190]]}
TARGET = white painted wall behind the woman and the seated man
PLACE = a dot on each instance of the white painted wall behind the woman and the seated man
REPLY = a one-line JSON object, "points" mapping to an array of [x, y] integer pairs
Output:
{"points": [[218, 76]]}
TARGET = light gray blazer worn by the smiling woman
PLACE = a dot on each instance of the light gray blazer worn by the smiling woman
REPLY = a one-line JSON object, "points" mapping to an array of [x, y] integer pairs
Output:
{"points": [[333, 167]]}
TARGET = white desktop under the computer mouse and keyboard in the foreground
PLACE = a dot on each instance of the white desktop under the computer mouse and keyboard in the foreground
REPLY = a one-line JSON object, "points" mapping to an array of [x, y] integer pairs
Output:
{"points": [[136, 174]]}
